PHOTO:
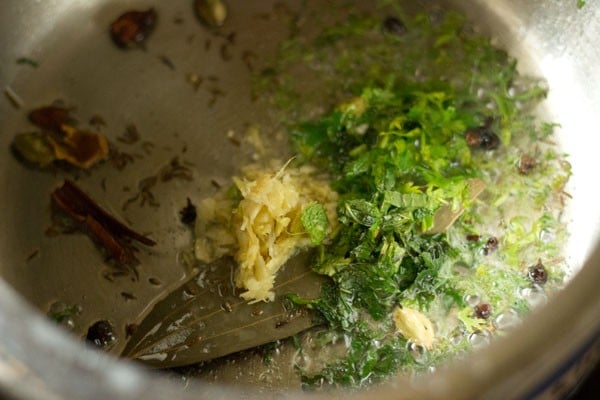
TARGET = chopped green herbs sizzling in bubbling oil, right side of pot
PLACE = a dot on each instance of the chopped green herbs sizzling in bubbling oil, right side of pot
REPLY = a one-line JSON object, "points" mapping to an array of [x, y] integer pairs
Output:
{"points": [[418, 107]]}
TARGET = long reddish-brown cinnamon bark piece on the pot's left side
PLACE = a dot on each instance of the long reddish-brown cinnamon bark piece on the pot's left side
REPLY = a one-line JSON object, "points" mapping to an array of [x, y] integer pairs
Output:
{"points": [[103, 228]]}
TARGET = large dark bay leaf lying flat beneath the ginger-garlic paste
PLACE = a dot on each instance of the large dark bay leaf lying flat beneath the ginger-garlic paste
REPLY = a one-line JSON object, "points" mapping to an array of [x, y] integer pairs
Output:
{"points": [[205, 318]]}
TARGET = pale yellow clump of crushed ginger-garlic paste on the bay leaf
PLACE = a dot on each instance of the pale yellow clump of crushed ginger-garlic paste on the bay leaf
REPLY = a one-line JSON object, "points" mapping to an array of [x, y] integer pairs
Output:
{"points": [[263, 229]]}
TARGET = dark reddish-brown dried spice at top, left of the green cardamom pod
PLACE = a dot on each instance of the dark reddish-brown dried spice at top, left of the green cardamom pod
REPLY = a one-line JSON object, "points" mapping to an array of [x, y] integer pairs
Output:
{"points": [[133, 27]]}
